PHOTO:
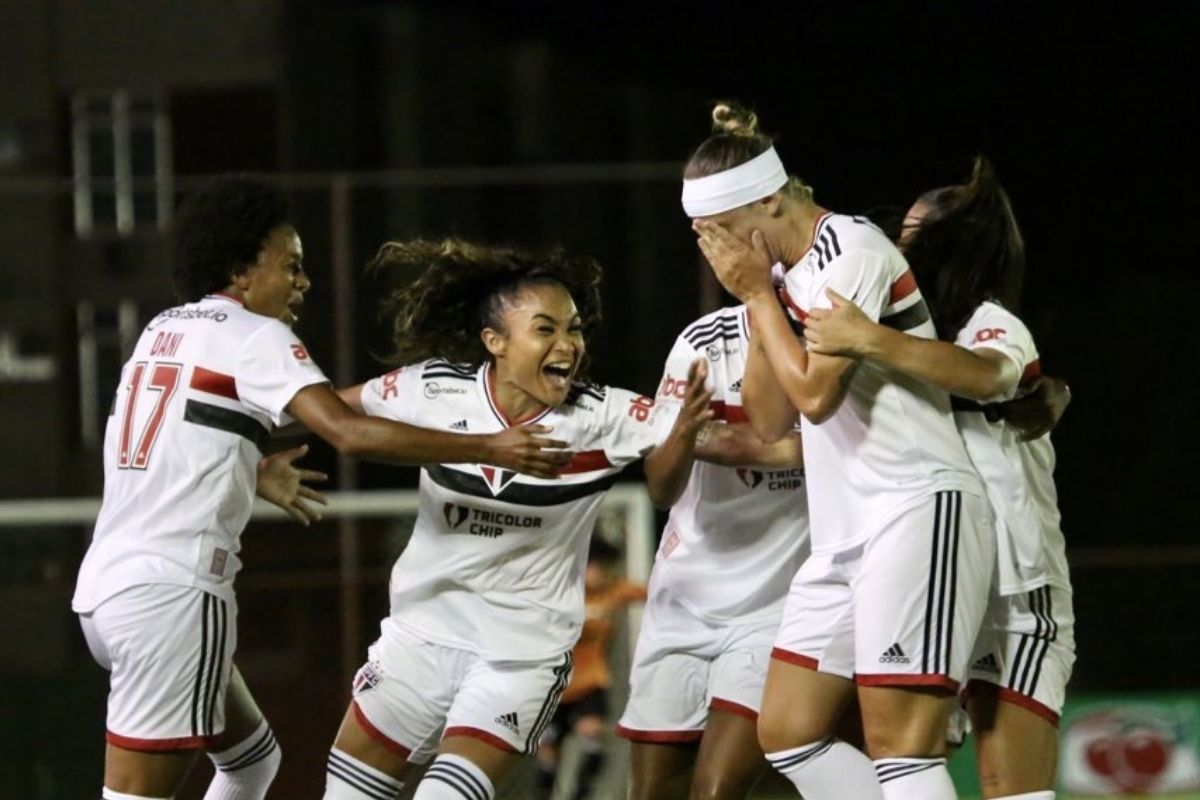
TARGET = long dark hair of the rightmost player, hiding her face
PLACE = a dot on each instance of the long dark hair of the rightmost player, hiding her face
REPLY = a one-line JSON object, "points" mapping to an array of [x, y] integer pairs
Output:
{"points": [[969, 249]]}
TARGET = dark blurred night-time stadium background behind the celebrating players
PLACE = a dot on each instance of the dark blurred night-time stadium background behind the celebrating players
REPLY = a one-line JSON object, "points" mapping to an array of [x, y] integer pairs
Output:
{"points": [[567, 124]]}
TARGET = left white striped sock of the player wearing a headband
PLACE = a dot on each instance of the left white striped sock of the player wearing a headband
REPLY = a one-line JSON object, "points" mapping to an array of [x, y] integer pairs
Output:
{"points": [[829, 771]]}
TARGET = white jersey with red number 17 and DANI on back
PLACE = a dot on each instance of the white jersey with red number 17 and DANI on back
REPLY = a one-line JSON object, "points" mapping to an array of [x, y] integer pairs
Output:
{"points": [[197, 400]]}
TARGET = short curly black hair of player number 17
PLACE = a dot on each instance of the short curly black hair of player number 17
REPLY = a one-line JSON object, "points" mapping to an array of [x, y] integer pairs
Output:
{"points": [[219, 233]]}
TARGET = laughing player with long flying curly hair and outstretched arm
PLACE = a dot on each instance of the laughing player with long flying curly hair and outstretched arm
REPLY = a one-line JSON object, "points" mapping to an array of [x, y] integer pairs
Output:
{"points": [[488, 597]]}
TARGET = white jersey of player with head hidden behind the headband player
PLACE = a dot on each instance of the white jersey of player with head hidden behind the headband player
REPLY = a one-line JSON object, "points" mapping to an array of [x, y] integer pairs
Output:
{"points": [[736, 536]]}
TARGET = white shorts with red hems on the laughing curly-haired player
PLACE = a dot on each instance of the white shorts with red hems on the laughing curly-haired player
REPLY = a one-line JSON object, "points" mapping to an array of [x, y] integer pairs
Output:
{"points": [[412, 694]]}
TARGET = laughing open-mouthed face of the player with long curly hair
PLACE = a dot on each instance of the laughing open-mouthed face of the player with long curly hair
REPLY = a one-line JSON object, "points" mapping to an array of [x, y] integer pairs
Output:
{"points": [[538, 352]]}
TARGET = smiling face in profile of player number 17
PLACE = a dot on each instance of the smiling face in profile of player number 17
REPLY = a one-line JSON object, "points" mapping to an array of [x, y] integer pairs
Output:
{"points": [[277, 284]]}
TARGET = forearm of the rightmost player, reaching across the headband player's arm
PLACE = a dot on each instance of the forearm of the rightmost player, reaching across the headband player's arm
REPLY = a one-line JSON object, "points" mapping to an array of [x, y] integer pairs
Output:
{"points": [[953, 369]]}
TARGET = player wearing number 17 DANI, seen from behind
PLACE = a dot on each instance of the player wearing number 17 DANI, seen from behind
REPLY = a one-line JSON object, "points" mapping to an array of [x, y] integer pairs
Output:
{"points": [[207, 383]]}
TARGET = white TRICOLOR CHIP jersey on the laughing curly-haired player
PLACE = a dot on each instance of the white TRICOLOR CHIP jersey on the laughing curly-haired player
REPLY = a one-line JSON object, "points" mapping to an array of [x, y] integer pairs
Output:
{"points": [[496, 562]]}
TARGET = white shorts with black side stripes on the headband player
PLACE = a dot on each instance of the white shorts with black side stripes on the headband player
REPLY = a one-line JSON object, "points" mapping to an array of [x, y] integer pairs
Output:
{"points": [[903, 609]]}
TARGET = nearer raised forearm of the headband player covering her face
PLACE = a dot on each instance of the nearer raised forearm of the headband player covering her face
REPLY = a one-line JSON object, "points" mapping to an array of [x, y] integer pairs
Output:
{"points": [[815, 396]]}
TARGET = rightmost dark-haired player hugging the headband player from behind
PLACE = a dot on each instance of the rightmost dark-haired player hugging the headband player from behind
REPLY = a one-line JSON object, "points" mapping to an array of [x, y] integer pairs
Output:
{"points": [[964, 240]]}
